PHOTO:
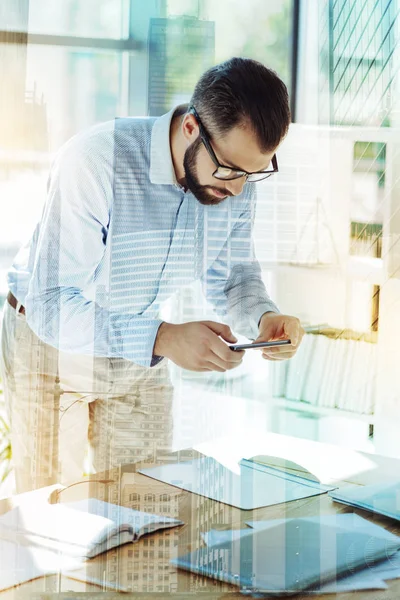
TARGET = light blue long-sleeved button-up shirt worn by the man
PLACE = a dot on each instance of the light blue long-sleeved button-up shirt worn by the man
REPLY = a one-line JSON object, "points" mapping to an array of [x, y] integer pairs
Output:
{"points": [[118, 236]]}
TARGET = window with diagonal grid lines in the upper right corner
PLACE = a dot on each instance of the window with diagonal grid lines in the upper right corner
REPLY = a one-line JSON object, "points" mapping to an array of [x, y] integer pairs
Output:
{"points": [[364, 58]]}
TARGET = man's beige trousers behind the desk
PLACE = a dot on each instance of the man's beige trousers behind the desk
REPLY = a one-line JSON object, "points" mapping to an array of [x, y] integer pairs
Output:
{"points": [[64, 407]]}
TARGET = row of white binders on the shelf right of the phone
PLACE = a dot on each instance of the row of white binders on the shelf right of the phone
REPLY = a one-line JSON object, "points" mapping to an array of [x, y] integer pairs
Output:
{"points": [[333, 373]]}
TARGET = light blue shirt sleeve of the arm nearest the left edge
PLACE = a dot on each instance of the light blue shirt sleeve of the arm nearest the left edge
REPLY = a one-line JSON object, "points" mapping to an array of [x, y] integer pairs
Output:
{"points": [[71, 245]]}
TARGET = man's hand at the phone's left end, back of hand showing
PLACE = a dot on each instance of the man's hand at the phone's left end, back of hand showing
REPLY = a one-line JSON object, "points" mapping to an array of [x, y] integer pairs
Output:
{"points": [[196, 346]]}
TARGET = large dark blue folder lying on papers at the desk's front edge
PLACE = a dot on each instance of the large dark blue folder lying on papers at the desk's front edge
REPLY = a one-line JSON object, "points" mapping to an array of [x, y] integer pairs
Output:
{"points": [[294, 555]]}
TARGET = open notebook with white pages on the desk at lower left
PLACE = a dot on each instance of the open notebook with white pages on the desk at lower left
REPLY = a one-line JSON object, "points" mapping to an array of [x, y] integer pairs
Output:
{"points": [[81, 529]]}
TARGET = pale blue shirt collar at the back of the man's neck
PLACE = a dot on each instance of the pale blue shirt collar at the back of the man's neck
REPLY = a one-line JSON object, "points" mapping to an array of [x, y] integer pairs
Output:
{"points": [[161, 166]]}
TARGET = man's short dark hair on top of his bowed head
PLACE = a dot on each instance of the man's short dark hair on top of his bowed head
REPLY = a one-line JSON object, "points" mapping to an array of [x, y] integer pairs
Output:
{"points": [[243, 92]]}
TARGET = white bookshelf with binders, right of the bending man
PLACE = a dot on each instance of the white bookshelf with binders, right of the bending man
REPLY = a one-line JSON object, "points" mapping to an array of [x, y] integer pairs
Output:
{"points": [[337, 263]]}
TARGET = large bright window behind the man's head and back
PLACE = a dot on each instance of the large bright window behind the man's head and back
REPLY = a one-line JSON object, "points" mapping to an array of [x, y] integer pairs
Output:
{"points": [[87, 62]]}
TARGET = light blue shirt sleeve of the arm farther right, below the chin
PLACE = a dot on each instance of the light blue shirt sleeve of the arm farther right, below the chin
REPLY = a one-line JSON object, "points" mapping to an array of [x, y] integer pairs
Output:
{"points": [[233, 283]]}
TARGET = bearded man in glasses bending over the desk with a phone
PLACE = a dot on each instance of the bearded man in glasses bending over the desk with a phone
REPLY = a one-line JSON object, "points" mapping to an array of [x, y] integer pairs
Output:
{"points": [[135, 209]]}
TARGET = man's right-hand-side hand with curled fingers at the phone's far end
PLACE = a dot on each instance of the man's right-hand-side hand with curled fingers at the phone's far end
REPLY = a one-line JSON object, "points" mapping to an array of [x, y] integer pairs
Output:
{"points": [[279, 327]]}
